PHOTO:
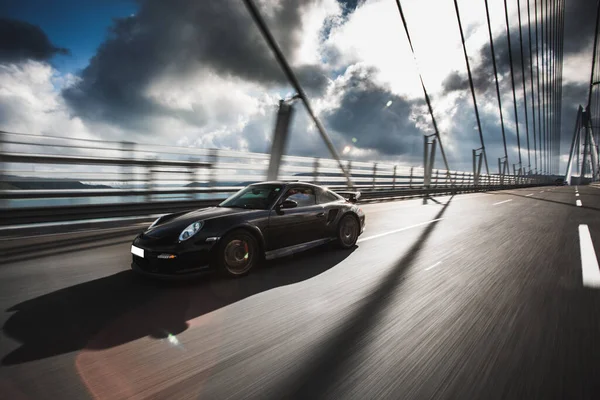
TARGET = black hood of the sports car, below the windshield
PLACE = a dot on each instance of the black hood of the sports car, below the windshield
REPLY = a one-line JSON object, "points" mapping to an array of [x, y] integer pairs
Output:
{"points": [[175, 223]]}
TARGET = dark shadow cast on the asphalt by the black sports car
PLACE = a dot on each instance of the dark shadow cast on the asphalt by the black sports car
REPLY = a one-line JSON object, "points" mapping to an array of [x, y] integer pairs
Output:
{"points": [[123, 307]]}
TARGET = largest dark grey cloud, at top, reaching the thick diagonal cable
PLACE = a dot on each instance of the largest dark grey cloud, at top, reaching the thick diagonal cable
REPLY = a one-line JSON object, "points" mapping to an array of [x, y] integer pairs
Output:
{"points": [[179, 38]]}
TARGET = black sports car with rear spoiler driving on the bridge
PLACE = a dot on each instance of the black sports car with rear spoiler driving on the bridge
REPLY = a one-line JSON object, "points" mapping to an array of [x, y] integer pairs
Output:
{"points": [[262, 221]]}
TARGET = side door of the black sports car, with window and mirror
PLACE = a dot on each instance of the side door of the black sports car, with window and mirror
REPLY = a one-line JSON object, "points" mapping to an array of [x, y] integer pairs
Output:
{"points": [[294, 226]]}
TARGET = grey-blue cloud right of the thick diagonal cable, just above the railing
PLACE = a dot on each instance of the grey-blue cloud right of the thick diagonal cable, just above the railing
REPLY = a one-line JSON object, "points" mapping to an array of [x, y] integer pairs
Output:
{"points": [[364, 116]]}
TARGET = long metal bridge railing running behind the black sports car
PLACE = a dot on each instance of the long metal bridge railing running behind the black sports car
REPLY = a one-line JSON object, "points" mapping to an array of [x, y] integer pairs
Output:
{"points": [[57, 173]]}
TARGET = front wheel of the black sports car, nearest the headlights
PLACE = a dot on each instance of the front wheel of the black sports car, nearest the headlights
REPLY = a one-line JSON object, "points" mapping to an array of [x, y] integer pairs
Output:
{"points": [[238, 253]]}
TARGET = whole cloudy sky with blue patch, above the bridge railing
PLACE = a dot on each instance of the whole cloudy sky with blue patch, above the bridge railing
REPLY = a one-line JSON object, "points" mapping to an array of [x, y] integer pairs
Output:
{"points": [[198, 73]]}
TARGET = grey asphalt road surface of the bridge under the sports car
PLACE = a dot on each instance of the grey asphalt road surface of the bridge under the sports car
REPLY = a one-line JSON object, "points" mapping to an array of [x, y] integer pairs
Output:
{"points": [[479, 296]]}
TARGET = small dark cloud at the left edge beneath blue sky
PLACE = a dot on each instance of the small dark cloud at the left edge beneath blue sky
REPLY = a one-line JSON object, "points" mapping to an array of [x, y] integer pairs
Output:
{"points": [[20, 40]]}
